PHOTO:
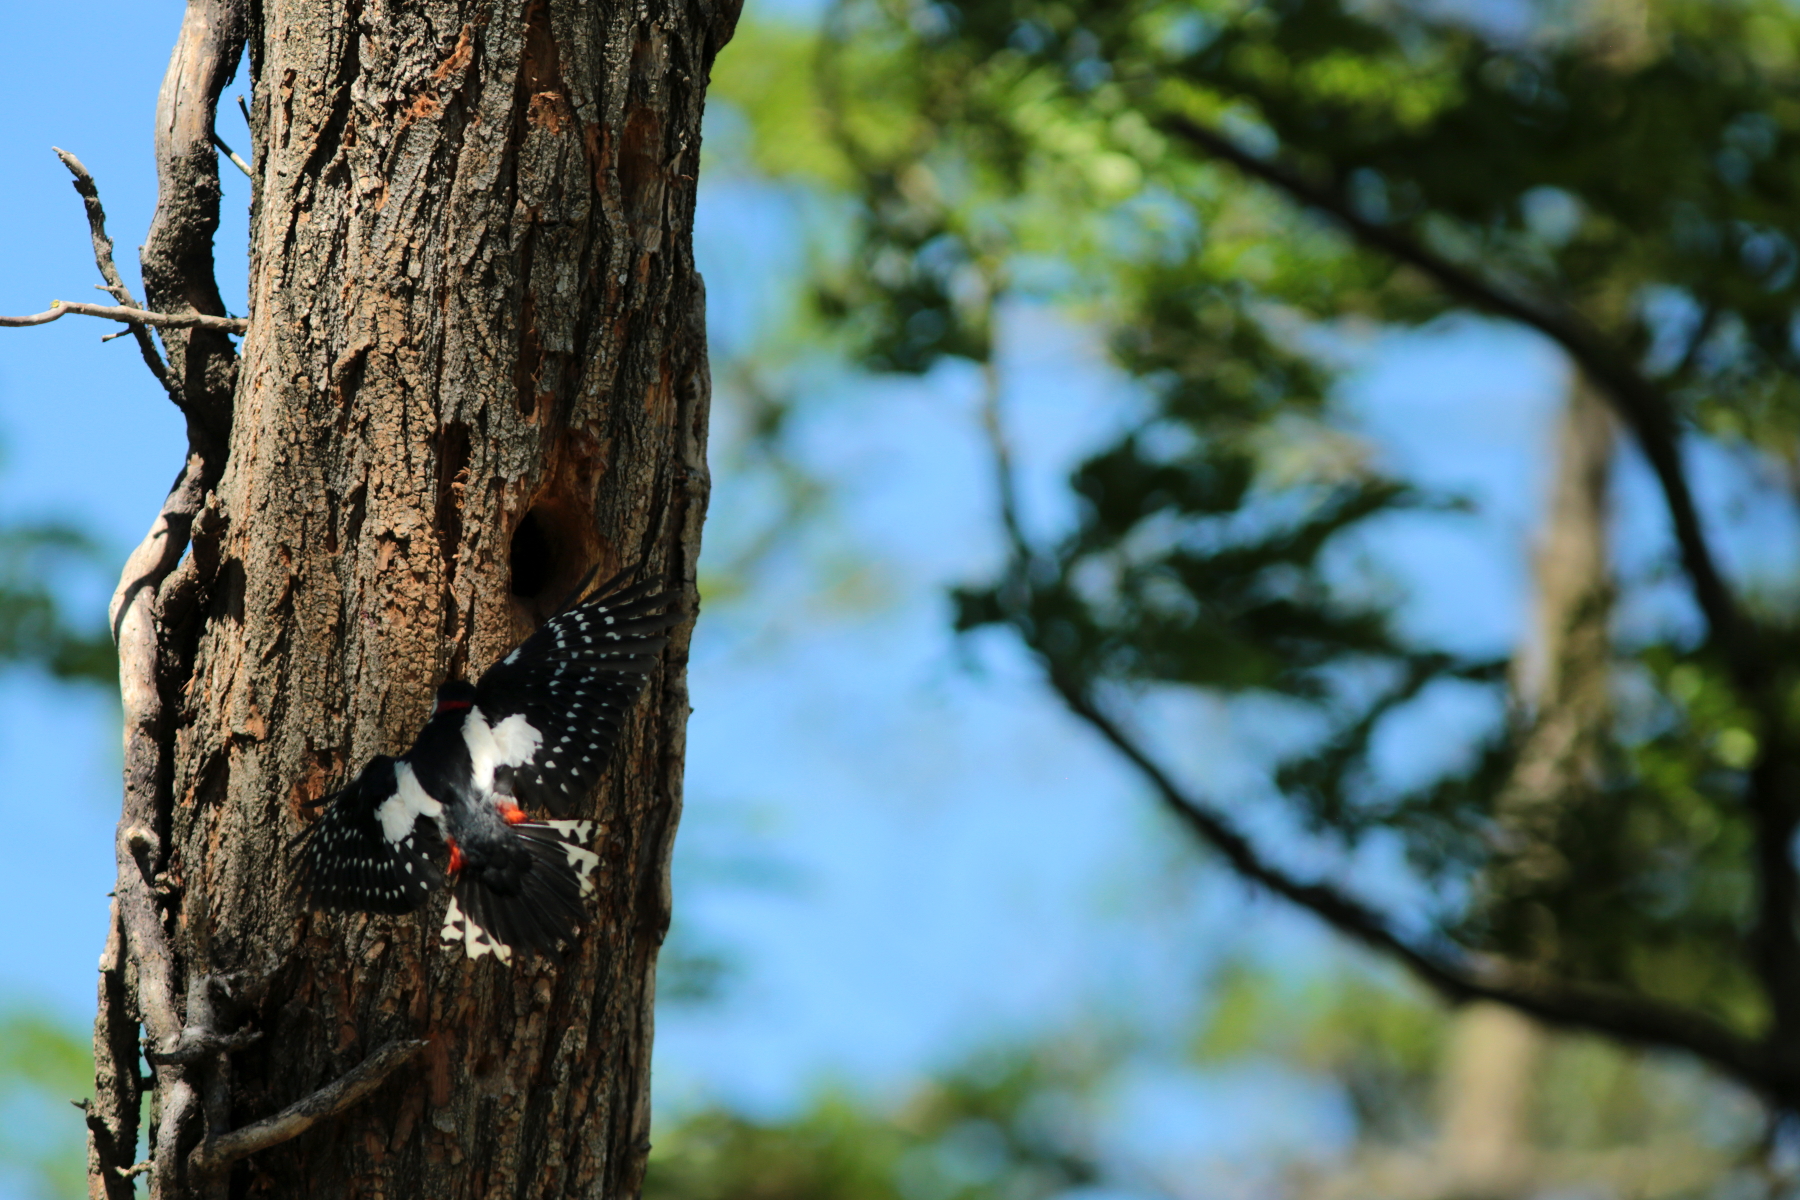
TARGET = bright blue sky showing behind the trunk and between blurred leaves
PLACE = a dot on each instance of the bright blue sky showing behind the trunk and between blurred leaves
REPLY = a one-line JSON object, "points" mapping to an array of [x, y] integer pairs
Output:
{"points": [[906, 848]]}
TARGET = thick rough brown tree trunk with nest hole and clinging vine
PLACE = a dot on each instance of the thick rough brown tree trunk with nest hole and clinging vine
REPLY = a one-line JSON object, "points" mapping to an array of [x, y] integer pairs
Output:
{"points": [[474, 372]]}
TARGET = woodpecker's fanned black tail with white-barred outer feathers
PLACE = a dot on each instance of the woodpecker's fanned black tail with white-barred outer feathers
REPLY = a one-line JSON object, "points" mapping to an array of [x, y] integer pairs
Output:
{"points": [[535, 904]]}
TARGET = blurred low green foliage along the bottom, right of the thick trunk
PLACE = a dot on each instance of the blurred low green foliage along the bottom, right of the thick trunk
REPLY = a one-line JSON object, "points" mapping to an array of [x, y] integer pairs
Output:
{"points": [[1036, 1124]]}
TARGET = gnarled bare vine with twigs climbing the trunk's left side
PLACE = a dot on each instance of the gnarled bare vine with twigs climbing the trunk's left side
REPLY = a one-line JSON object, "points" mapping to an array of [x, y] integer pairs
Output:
{"points": [[201, 377]]}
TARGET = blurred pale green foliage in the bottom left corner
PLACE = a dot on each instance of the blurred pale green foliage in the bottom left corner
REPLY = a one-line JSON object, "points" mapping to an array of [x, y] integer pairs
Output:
{"points": [[44, 1064]]}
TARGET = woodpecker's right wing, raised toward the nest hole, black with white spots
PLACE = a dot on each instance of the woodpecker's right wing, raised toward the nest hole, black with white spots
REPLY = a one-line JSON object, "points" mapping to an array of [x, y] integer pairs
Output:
{"points": [[557, 703]]}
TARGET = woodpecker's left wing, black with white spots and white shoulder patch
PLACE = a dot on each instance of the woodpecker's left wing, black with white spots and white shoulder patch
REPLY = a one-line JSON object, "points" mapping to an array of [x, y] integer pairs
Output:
{"points": [[373, 848]]}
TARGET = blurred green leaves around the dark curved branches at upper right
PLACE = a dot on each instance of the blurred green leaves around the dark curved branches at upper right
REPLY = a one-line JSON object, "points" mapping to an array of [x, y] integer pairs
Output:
{"points": [[1641, 183]]}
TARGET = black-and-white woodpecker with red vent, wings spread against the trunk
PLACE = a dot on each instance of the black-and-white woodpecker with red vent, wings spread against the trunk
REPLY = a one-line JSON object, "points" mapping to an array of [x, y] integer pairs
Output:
{"points": [[535, 730]]}
